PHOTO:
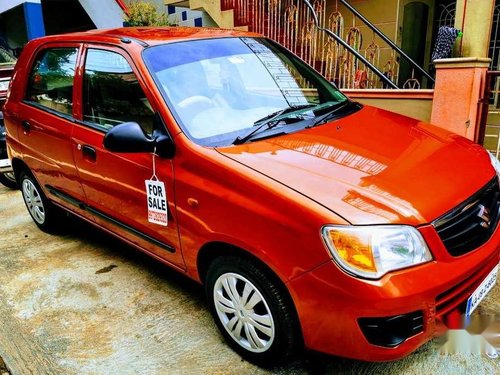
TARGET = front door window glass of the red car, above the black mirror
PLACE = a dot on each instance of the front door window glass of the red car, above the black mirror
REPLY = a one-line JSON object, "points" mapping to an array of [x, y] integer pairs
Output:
{"points": [[112, 94]]}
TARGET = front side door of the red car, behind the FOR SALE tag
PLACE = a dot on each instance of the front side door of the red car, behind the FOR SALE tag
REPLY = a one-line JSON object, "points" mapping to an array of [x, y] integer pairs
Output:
{"points": [[114, 183]]}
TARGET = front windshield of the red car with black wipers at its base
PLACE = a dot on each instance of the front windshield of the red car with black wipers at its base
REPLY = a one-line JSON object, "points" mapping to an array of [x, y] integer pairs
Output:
{"points": [[221, 89]]}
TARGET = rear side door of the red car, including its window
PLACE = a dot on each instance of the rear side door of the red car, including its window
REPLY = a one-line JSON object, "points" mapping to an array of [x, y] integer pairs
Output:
{"points": [[45, 121]]}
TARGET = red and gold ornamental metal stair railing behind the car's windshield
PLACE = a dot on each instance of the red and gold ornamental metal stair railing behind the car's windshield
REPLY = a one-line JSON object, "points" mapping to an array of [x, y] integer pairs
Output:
{"points": [[291, 23]]}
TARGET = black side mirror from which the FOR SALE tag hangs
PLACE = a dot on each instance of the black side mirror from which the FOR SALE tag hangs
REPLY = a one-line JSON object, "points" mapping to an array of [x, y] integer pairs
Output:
{"points": [[128, 137]]}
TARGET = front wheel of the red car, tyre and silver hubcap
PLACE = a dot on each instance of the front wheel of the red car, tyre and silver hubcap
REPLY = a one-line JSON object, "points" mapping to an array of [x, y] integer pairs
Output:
{"points": [[252, 310]]}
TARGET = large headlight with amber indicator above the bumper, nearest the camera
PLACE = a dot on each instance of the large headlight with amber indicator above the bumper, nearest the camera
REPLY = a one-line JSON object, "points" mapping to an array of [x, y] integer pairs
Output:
{"points": [[372, 251]]}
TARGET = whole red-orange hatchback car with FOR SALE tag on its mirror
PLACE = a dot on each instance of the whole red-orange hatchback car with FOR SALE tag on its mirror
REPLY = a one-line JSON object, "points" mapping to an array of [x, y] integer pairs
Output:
{"points": [[310, 219]]}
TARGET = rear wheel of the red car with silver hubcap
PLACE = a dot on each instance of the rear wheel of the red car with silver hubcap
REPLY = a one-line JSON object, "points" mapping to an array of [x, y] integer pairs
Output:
{"points": [[45, 215]]}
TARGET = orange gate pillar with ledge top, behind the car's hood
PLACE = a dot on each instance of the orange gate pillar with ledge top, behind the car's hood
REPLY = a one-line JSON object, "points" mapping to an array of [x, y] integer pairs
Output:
{"points": [[459, 86]]}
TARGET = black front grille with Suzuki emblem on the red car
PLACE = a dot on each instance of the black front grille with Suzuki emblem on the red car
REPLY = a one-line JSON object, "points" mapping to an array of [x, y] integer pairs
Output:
{"points": [[472, 223]]}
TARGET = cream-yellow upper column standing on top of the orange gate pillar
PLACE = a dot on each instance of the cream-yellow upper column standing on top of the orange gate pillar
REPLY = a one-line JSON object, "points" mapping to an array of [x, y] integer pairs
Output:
{"points": [[474, 18]]}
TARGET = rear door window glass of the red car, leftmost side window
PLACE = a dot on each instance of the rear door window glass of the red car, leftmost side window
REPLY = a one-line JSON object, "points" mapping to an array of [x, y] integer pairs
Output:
{"points": [[51, 79]]}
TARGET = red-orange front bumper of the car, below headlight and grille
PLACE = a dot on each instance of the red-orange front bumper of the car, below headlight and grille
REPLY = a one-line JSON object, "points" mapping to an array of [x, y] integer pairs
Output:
{"points": [[331, 303]]}
